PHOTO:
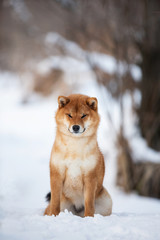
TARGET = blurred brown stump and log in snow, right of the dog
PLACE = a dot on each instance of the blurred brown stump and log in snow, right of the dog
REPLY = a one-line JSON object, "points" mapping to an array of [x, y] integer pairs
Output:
{"points": [[142, 177]]}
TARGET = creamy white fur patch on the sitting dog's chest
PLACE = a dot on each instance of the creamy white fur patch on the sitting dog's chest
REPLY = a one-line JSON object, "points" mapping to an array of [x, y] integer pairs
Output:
{"points": [[75, 156]]}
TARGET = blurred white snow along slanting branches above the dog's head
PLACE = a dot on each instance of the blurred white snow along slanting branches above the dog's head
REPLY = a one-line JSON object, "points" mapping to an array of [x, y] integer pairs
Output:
{"points": [[105, 62]]}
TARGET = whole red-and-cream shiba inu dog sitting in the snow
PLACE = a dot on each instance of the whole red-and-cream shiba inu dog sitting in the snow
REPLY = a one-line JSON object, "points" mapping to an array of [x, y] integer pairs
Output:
{"points": [[77, 164]]}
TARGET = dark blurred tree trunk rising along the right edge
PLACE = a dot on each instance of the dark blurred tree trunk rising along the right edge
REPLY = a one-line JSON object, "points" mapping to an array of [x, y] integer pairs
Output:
{"points": [[149, 112]]}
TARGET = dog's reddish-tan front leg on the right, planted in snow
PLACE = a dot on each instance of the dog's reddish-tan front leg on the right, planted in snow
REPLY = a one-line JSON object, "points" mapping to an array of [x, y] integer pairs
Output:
{"points": [[89, 195]]}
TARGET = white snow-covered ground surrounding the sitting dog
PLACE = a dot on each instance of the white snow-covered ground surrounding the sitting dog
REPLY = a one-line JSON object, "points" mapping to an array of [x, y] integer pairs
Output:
{"points": [[26, 136]]}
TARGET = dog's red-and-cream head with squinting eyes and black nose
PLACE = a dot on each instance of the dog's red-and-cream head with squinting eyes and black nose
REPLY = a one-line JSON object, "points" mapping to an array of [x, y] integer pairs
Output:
{"points": [[77, 115]]}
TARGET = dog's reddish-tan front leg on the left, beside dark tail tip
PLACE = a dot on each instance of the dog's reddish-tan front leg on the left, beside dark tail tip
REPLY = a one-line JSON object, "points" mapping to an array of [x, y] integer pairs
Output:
{"points": [[56, 189]]}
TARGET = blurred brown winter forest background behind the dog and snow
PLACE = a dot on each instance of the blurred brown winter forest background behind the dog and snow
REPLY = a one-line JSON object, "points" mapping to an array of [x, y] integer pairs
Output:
{"points": [[33, 32]]}
